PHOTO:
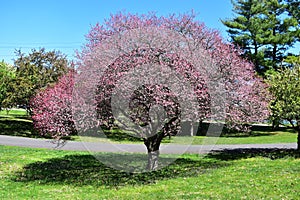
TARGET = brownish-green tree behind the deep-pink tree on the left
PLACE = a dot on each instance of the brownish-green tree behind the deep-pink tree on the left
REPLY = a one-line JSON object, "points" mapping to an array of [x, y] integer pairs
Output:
{"points": [[35, 71]]}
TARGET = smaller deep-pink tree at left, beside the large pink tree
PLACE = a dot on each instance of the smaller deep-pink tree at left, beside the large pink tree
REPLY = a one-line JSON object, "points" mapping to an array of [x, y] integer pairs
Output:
{"points": [[51, 108]]}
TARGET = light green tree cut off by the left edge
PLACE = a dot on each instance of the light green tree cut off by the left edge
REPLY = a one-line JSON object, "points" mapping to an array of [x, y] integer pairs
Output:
{"points": [[7, 75]]}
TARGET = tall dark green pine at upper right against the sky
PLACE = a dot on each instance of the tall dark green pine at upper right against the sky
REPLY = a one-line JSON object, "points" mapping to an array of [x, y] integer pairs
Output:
{"points": [[265, 30]]}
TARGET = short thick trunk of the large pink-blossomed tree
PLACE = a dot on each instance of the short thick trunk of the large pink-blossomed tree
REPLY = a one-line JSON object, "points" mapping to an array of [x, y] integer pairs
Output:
{"points": [[152, 143]]}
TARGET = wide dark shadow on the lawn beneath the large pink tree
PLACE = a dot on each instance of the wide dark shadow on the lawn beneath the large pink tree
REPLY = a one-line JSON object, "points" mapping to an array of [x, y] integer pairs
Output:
{"points": [[87, 170]]}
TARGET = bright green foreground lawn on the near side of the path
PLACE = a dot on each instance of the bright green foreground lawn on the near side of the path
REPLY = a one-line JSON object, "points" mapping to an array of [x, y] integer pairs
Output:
{"points": [[54, 174]]}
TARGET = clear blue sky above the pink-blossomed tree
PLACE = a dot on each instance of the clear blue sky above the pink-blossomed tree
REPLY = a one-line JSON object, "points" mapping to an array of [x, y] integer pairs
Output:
{"points": [[63, 24]]}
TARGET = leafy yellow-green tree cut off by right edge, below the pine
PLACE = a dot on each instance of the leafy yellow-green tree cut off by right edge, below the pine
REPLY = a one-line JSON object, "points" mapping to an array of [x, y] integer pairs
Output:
{"points": [[285, 88]]}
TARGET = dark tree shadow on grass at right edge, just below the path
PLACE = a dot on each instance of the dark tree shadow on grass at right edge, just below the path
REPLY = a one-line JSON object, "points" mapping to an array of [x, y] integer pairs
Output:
{"points": [[236, 154]]}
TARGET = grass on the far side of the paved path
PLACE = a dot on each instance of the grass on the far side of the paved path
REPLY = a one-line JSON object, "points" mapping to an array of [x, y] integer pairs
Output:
{"points": [[17, 123]]}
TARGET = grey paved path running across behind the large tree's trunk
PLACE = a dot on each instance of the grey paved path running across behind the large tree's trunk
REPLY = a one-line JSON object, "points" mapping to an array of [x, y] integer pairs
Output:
{"points": [[138, 148]]}
